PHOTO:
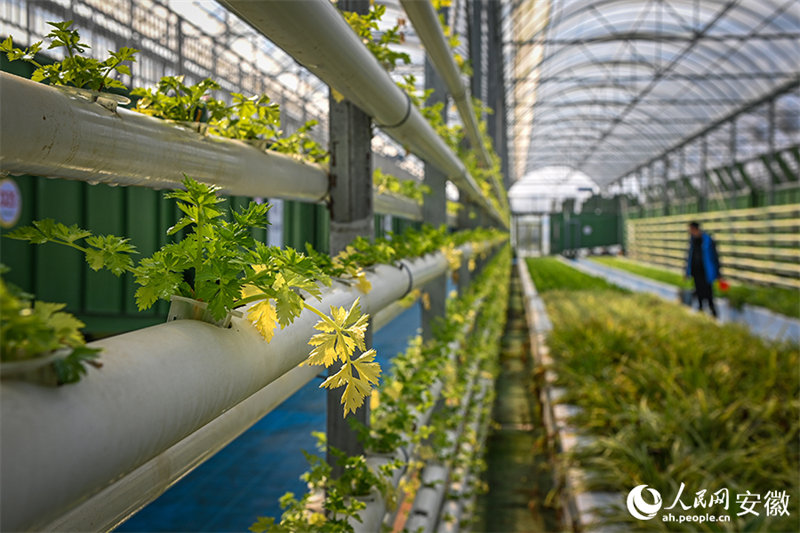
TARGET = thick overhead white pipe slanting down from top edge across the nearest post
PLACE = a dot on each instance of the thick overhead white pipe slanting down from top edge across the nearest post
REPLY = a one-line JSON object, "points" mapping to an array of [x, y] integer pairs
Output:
{"points": [[316, 34]]}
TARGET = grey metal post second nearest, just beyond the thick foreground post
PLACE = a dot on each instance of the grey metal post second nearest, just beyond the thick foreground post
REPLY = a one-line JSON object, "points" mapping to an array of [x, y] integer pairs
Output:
{"points": [[434, 210]]}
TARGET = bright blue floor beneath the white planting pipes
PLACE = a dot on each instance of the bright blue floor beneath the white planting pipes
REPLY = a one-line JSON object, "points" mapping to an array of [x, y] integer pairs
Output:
{"points": [[246, 479]]}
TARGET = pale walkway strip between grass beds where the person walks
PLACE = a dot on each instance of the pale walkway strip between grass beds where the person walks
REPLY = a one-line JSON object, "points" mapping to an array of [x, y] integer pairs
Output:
{"points": [[761, 322]]}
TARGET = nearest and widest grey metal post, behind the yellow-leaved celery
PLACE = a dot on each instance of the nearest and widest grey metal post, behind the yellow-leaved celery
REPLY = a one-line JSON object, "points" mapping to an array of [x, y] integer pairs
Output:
{"points": [[351, 216]]}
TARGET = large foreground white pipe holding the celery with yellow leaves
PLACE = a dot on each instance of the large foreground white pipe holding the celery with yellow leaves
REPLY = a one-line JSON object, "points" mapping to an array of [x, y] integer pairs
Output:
{"points": [[158, 386]]}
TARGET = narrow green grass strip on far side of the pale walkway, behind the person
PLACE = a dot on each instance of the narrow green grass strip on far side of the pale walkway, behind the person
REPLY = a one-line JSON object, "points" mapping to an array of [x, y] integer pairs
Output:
{"points": [[780, 300]]}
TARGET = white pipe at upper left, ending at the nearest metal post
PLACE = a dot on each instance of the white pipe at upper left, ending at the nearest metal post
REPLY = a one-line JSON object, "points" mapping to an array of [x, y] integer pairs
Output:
{"points": [[48, 132]]}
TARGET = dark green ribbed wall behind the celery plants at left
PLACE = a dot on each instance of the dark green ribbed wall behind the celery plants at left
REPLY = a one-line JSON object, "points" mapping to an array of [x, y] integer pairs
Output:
{"points": [[101, 300]]}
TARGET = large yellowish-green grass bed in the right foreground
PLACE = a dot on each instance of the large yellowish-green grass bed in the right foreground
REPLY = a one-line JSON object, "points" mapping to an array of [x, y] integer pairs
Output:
{"points": [[673, 398]]}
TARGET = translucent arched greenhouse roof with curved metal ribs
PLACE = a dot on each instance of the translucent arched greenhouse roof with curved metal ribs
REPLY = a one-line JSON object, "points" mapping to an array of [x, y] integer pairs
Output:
{"points": [[607, 86]]}
